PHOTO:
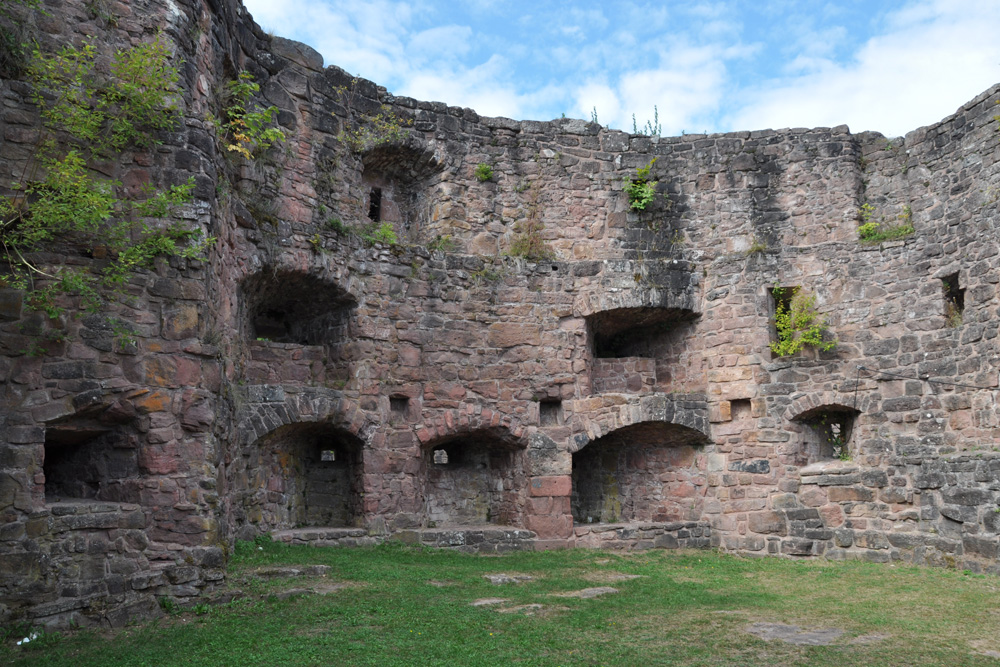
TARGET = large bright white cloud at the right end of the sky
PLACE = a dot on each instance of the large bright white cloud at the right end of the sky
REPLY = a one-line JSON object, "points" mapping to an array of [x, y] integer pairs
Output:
{"points": [[932, 53]]}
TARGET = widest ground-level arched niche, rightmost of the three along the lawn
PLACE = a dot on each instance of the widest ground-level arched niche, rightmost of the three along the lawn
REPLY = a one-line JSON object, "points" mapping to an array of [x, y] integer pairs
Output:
{"points": [[645, 472]]}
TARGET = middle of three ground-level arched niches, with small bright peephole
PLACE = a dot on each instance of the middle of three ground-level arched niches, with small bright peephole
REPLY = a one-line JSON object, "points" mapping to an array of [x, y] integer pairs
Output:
{"points": [[477, 478]]}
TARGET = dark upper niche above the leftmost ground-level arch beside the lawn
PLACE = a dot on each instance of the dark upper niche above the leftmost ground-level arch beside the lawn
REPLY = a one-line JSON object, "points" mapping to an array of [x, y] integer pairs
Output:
{"points": [[290, 307]]}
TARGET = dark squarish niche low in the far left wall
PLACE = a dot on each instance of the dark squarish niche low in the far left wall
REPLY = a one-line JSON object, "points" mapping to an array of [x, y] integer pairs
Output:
{"points": [[89, 461]]}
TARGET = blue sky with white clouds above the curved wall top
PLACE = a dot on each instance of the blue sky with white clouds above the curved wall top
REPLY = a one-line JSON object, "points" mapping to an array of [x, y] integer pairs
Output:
{"points": [[713, 66]]}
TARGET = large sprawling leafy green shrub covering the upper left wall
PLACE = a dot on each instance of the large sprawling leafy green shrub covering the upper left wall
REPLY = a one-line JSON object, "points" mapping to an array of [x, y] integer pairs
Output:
{"points": [[89, 115]]}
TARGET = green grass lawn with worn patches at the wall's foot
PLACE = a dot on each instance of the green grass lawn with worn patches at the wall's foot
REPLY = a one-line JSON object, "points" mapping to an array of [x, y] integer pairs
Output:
{"points": [[403, 606]]}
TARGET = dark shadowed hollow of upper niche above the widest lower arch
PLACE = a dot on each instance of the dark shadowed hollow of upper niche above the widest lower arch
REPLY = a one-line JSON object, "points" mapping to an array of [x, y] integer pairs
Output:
{"points": [[634, 332]]}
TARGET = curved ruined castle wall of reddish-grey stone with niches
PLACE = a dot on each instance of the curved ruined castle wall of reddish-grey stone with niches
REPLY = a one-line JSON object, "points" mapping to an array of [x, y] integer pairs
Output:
{"points": [[646, 335]]}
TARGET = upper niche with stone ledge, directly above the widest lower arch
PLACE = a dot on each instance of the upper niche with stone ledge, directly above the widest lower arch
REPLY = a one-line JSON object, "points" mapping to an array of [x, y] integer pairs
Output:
{"points": [[659, 335]]}
